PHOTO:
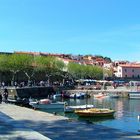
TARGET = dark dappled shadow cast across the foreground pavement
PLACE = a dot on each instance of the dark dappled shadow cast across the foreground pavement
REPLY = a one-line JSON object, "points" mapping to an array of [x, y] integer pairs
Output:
{"points": [[61, 129]]}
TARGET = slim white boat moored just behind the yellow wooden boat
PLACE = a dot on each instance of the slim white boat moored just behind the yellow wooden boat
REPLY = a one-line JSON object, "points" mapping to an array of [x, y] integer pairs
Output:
{"points": [[70, 109]]}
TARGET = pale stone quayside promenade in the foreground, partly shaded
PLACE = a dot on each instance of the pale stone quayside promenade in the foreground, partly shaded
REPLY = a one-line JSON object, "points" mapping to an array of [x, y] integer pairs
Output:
{"points": [[20, 123]]}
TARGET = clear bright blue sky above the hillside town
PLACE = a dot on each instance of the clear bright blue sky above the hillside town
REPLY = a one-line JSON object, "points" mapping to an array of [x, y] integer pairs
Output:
{"points": [[99, 27]]}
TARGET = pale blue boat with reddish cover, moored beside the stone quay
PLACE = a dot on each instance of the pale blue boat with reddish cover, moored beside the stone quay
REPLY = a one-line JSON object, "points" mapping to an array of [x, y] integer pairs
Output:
{"points": [[47, 104]]}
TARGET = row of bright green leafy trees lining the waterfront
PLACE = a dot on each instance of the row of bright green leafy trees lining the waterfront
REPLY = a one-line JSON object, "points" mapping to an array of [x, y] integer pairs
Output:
{"points": [[49, 66]]}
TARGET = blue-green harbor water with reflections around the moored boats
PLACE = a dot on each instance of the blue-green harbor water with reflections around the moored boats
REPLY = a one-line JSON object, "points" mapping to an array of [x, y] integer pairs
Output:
{"points": [[125, 118]]}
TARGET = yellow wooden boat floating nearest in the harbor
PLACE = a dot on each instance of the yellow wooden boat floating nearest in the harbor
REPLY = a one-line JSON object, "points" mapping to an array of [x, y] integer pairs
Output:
{"points": [[95, 112]]}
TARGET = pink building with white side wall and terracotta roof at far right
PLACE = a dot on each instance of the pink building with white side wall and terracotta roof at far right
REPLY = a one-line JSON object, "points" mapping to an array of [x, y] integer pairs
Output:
{"points": [[128, 71]]}
